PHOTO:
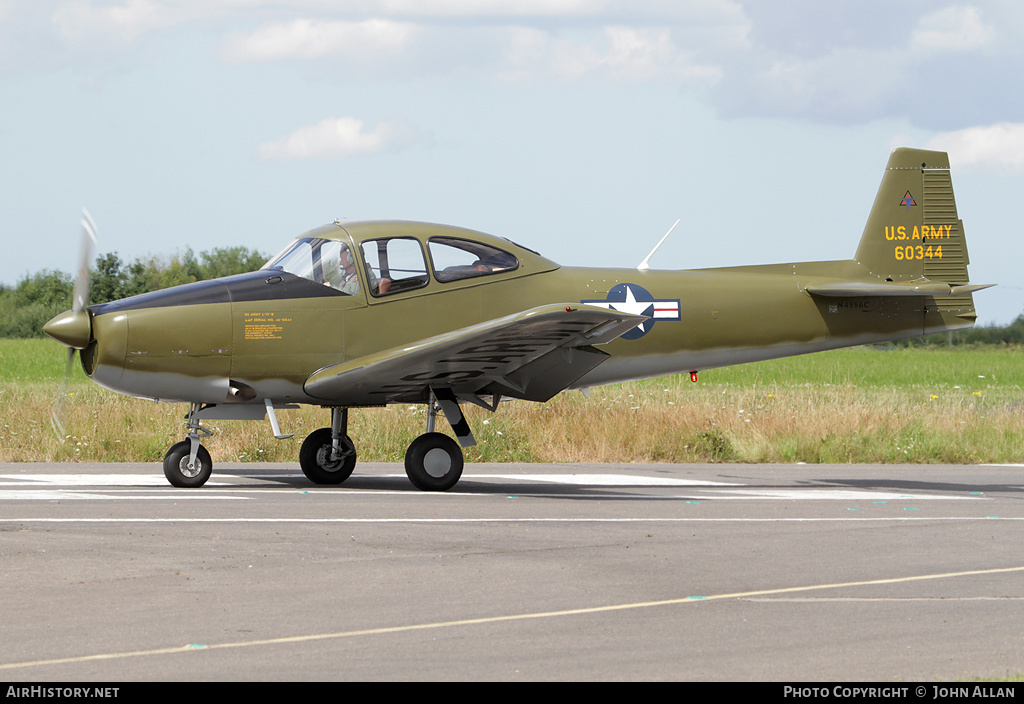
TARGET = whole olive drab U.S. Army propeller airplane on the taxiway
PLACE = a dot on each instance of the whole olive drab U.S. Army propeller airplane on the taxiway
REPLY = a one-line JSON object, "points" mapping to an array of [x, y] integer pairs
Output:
{"points": [[362, 315]]}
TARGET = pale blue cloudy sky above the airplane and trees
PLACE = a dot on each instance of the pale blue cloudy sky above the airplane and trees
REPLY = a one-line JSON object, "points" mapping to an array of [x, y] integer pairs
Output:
{"points": [[582, 129]]}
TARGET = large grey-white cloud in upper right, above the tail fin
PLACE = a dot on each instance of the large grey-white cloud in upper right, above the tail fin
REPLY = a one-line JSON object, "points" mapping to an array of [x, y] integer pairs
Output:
{"points": [[850, 64]]}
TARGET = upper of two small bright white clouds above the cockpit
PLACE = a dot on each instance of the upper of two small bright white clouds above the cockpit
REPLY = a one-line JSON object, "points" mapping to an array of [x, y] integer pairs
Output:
{"points": [[313, 39]]}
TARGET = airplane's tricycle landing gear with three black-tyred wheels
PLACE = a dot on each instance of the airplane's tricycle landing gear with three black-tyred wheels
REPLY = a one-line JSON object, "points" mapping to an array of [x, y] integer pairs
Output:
{"points": [[434, 462]]}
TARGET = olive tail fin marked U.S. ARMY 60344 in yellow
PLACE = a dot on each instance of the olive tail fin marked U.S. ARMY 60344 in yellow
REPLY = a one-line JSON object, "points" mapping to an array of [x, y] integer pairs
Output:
{"points": [[913, 233]]}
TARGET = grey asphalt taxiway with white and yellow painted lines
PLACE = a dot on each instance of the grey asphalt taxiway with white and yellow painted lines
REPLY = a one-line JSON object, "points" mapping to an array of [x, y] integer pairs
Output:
{"points": [[724, 573]]}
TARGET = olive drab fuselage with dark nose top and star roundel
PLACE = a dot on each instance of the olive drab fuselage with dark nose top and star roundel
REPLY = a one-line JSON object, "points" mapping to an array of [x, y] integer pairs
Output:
{"points": [[261, 336]]}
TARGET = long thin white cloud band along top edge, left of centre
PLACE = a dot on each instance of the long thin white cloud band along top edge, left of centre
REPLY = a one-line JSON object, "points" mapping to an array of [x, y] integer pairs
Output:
{"points": [[642, 40]]}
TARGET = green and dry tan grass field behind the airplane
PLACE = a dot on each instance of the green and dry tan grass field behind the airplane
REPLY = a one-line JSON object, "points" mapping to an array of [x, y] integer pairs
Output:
{"points": [[856, 406]]}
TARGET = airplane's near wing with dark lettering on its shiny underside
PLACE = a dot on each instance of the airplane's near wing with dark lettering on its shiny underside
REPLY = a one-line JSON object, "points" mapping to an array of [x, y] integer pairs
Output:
{"points": [[533, 356]]}
